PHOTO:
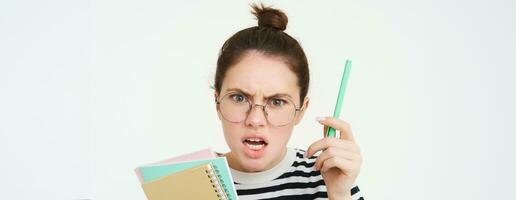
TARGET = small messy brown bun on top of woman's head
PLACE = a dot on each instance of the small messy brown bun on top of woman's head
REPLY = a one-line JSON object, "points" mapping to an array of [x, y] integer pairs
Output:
{"points": [[270, 17]]}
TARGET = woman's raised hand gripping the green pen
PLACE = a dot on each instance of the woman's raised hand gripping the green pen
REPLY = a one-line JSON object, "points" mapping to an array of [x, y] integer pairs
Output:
{"points": [[340, 160]]}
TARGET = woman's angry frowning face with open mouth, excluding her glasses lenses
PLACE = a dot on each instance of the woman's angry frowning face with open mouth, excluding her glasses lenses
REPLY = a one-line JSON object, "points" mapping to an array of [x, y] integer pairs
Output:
{"points": [[255, 143]]}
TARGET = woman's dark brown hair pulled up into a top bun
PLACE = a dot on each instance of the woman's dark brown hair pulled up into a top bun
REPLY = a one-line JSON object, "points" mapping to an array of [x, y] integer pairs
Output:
{"points": [[269, 39]]}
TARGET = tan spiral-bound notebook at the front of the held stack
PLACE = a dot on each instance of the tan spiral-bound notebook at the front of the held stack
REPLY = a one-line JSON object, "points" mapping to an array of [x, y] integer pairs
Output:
{"points": [[195, 183]]}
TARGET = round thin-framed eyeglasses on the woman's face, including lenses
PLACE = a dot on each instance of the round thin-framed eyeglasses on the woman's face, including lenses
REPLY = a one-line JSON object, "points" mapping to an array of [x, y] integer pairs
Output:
{"points": [[235, 107]]}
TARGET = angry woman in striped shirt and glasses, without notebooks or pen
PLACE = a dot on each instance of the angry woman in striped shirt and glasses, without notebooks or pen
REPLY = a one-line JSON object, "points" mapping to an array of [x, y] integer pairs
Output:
{"points": [[261, 83]]}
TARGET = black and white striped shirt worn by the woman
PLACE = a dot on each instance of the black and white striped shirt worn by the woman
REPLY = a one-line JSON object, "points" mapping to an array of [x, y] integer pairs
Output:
{"points": [[293, 178]]}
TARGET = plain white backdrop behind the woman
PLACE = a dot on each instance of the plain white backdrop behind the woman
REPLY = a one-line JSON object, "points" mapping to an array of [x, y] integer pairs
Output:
{"points": [[91, 89]]}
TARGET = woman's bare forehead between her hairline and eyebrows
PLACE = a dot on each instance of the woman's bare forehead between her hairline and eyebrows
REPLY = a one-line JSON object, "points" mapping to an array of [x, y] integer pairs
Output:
{"points": [[261, 74]]}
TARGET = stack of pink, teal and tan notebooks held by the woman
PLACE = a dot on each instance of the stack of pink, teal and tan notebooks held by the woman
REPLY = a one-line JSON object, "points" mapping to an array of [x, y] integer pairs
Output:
{"points": [[197, 175]]}
